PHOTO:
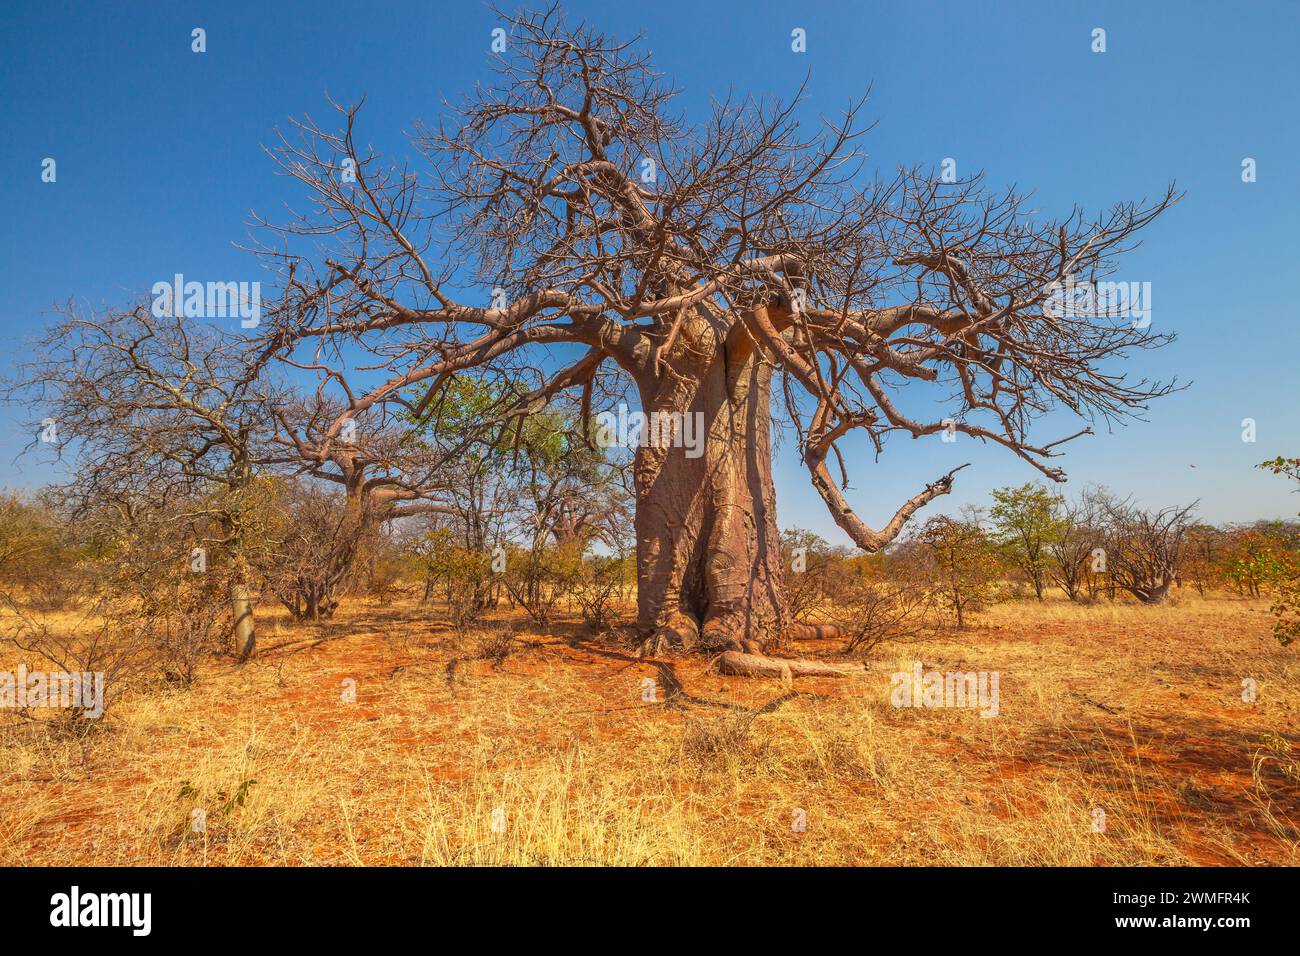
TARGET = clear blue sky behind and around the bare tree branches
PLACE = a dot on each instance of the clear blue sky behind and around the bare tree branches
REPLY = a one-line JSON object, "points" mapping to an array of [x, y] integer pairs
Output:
{"points": [[159, 163]]}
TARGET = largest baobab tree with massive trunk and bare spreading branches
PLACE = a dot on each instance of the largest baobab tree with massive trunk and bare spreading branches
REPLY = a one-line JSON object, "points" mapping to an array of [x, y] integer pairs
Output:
{"points": [[566, 220]]}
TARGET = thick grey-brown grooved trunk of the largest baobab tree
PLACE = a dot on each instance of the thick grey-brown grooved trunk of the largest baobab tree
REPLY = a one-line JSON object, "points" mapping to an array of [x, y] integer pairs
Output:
{"points": [[709, 553]]}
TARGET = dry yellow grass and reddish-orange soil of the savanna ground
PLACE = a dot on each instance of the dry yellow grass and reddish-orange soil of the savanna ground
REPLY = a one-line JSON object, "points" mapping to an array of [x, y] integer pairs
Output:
{"points": [[456, 738]]}
